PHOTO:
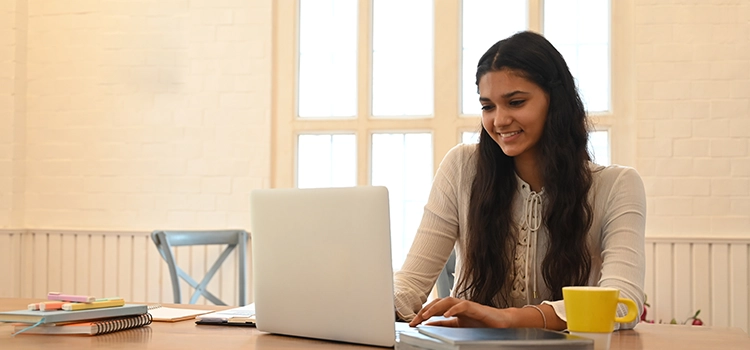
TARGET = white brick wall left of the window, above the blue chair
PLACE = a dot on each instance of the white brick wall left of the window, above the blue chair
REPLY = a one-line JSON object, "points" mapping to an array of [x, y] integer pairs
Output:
{"points": [[144, 115]]}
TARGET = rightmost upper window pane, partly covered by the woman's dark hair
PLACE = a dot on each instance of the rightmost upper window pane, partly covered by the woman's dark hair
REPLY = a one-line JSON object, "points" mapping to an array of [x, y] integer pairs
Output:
{"points": [[580, 30]]}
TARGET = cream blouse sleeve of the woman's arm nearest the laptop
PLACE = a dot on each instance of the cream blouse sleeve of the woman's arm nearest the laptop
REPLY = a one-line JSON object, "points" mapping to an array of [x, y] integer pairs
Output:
{"points": [[433, 242]]}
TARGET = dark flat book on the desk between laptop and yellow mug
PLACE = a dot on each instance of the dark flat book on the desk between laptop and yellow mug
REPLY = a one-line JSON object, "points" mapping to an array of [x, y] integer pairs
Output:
{"points": [[446, 338]]}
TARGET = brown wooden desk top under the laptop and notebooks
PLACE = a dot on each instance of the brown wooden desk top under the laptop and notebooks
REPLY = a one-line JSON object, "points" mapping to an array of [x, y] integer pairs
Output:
{"points": [[187, 335]]}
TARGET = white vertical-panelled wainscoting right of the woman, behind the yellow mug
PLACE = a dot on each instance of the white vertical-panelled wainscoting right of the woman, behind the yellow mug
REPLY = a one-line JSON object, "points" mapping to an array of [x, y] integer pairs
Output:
{"points": [[684, 275]]}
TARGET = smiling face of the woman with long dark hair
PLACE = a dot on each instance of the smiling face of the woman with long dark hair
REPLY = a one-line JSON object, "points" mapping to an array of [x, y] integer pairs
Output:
{"points": [[514, 110]]}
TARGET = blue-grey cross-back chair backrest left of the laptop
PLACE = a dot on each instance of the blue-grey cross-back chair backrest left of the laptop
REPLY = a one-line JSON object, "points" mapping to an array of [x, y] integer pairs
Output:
{"points": [[165, 240]]}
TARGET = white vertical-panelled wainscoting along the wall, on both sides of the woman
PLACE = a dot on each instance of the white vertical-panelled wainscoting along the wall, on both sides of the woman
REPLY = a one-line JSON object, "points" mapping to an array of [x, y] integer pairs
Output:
{"points": [[682, 274]]}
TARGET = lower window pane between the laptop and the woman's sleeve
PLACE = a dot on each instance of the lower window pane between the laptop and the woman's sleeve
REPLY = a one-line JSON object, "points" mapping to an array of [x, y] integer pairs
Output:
{"points": [[403, 163]]}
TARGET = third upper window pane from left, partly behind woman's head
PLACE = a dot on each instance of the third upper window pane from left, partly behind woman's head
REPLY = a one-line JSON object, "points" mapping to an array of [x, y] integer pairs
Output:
{"points": [[485, 22]]}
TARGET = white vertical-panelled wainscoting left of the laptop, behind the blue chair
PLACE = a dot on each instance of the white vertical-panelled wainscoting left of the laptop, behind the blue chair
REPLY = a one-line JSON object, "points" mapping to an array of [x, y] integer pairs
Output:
{"points": [[106, 264]]}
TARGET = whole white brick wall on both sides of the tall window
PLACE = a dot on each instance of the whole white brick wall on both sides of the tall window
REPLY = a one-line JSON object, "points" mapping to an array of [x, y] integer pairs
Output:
{"points": [[156, 113]]}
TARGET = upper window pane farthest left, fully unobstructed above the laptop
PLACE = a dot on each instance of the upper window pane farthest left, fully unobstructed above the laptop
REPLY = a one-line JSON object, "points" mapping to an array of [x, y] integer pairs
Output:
{"points": [[328, 58]]}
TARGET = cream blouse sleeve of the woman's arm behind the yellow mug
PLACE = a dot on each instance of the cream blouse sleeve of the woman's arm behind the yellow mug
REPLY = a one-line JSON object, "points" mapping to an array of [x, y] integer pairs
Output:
{"points": [[623, 244]]}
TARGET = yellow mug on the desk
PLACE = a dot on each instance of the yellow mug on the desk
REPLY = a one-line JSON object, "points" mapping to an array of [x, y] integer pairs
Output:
{"points": [[594, 309]]}
